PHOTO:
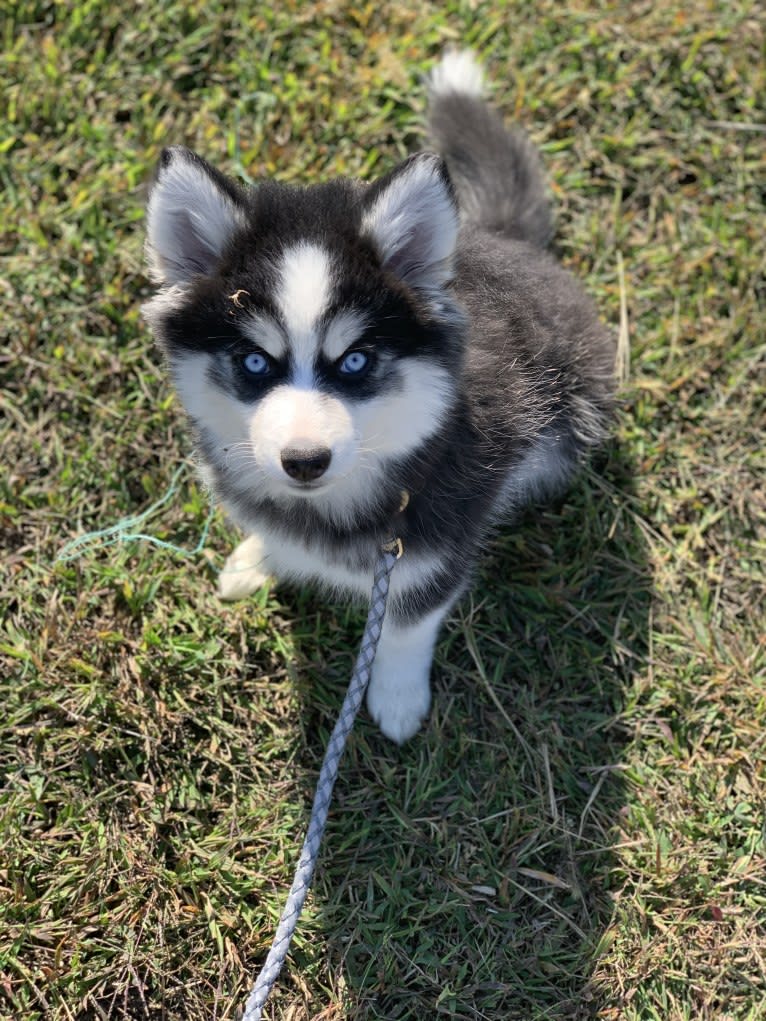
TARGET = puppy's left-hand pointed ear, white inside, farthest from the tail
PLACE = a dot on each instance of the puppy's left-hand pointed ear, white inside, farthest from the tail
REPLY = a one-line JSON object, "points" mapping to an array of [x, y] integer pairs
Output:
{"points": [[193, 214]]}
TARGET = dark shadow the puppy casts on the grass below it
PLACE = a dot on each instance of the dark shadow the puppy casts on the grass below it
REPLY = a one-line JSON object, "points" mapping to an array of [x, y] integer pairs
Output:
{"points": [[469, 874]]}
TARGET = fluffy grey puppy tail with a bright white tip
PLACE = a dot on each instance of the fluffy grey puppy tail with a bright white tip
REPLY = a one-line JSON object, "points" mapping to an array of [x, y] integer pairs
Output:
{"points": [[497, 173]]}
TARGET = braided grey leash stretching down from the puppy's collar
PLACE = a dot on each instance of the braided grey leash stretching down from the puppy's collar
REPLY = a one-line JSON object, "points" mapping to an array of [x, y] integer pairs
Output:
{"points": [[360, 680]]}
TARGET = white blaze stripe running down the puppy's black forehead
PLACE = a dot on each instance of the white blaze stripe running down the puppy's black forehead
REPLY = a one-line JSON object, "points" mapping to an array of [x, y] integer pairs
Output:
{"points": [[303, 296]]}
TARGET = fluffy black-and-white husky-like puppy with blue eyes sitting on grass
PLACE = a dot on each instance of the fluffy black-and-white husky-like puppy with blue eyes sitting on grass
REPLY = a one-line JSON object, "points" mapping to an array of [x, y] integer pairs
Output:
{"points": [[339, 346]]}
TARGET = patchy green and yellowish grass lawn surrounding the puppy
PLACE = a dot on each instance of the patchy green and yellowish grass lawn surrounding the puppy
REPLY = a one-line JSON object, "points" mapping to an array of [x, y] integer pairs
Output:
{"points": [[580, 832]]}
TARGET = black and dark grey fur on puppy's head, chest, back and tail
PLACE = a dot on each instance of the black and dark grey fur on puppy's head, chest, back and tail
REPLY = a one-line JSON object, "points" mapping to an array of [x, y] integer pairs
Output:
{"points": [[531, 364]]}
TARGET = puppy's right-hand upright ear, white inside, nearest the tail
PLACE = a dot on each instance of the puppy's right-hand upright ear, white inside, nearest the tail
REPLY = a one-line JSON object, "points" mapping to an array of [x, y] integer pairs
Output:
{"points": [[412, 218]]}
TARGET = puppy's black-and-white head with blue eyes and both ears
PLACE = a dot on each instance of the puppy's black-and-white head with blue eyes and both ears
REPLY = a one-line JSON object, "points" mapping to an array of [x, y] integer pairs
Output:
{"points": [[310, 332]]}
